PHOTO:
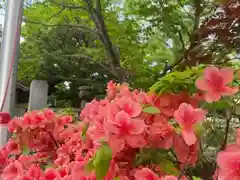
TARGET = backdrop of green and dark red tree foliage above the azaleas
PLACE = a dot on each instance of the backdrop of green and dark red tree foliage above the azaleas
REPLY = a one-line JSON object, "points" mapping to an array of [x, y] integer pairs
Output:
{"points": [[73, 43]]}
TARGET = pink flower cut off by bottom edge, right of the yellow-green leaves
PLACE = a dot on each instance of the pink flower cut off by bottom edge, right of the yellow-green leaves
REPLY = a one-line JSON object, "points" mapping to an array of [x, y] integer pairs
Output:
{"points": [[145, 174]]}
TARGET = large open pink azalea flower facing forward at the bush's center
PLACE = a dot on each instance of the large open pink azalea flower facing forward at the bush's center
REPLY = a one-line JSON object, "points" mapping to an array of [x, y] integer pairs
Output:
{"points": [[124, 130]]}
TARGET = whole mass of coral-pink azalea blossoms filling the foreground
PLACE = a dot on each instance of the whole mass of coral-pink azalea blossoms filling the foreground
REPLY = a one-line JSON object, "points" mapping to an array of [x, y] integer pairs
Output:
{"points": [[48, 146]]}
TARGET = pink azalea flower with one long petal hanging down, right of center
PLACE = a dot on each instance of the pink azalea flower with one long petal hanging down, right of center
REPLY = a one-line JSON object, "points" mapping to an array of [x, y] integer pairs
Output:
{"points": [[187, 117]]}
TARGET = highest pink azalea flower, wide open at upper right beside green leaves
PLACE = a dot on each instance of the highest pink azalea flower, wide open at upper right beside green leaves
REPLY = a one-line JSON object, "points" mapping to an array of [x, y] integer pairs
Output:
{"points": [[215, 83]]}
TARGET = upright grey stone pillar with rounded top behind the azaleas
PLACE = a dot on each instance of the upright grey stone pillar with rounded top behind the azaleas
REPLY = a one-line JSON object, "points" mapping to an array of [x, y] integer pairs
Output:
{"points": [[38, 95]]}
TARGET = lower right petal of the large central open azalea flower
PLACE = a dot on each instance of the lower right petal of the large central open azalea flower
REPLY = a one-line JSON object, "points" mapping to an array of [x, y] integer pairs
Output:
{"points": [[135, 141]]}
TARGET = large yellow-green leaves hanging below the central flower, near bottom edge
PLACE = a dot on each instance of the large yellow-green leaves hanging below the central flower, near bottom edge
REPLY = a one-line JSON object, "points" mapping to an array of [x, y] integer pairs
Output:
{"points": [[100, 162]]}
